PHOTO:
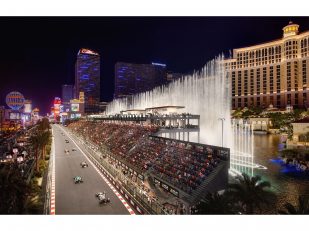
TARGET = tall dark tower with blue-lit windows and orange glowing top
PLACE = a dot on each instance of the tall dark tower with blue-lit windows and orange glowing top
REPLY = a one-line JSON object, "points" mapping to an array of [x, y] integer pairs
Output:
{"points": [[87, 78]]}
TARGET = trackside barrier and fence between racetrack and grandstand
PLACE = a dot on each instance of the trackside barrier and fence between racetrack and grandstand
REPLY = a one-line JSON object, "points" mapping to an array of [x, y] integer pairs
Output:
{"points": [[129, 190]]}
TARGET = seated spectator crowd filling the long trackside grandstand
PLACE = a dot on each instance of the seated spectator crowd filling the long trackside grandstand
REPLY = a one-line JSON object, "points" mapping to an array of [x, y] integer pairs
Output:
{"points": [[183, 165]]}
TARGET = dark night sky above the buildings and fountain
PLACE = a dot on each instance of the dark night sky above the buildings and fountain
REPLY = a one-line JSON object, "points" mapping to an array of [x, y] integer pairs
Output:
{"points": [[38, 54]]}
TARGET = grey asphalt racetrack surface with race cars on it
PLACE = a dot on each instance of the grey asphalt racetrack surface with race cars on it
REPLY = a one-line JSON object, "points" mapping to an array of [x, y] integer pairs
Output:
{"points": [[74, 198]]}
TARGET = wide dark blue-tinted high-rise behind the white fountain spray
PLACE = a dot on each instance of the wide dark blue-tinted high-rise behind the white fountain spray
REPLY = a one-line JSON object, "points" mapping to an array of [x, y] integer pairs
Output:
{"points": [[133, 78]]}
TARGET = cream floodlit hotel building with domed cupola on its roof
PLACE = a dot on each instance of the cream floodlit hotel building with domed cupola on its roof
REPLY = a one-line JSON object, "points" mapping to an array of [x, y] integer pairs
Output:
{"points": [[273, 73]]}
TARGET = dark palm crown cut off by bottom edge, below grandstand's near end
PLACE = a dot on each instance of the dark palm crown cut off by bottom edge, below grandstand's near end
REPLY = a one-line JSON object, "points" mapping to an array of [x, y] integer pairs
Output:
{"points": [[215, 203]]}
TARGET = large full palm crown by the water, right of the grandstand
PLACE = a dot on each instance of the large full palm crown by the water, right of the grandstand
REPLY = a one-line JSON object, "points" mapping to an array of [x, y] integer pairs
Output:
{"points": [[251, 193]]}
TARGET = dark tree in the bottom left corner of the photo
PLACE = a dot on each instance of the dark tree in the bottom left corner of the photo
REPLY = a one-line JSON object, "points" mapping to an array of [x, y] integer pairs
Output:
{"points": [[13, 190]]}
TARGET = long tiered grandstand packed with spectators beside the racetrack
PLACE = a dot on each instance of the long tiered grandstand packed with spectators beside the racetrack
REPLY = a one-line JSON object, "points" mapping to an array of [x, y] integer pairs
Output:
{"points": [[183, 169]]}
